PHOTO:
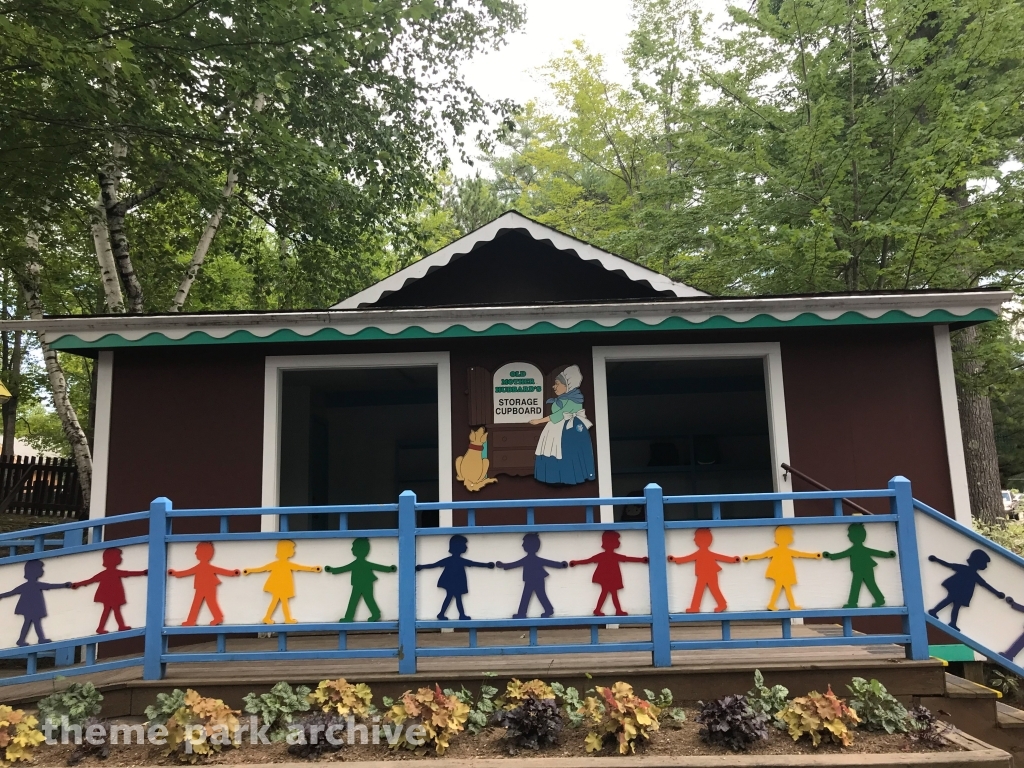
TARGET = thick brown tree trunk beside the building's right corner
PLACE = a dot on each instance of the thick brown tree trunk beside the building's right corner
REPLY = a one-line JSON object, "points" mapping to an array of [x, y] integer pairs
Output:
{"points": [[979, 436]]}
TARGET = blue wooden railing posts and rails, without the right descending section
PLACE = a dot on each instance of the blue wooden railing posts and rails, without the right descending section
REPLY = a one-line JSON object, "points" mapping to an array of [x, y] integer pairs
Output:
{"points": [[409, 630]]}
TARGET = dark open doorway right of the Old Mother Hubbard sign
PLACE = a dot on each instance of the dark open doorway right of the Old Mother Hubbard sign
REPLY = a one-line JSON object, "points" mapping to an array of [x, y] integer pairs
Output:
{"points": [[694, 426]]}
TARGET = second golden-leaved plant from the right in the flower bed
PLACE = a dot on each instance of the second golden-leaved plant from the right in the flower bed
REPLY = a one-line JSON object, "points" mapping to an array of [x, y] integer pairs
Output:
{"points": [[618, 715]]}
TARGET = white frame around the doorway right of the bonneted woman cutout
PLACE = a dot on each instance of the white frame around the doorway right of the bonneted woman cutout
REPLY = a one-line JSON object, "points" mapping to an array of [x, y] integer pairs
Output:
{"points": [[770, 353]]}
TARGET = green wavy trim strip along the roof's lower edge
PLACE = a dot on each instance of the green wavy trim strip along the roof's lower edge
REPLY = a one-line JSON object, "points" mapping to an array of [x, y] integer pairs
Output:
{"points": [[806, 320]]}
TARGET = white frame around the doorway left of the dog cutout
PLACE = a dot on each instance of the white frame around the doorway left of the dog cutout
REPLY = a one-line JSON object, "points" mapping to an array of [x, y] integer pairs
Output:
{"points": [[272, 414]]}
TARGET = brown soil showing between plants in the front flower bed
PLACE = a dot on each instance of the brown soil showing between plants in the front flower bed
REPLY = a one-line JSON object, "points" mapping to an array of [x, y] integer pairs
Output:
{"points": [[684, 741]]}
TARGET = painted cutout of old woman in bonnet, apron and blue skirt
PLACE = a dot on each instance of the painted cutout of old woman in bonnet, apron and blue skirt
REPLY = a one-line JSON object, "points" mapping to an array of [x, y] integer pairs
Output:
{"points": [[565, 453]]}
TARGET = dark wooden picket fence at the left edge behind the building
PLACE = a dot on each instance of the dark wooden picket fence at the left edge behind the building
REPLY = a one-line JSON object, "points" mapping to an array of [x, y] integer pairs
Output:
{"points": [[41, 487]]}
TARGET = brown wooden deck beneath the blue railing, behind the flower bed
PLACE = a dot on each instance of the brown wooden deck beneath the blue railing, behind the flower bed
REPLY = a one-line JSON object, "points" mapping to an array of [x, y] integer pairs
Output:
{"points": [[694, 675]]}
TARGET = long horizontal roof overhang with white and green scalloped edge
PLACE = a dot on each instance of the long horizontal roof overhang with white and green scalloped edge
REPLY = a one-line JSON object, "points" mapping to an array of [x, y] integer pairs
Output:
{"points": [[109, 332]]}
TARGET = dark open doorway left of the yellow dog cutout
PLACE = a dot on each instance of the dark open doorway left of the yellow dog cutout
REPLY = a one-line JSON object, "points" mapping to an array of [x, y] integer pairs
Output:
{"points": [[358, 436]]}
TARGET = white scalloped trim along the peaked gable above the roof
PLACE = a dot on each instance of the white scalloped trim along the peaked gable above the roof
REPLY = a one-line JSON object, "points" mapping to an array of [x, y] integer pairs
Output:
{"points": [[653, 283]]}
